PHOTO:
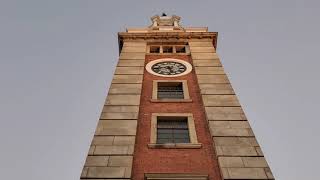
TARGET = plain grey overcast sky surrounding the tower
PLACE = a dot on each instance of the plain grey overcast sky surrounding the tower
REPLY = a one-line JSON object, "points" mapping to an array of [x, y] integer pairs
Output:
{"points": [[57, 60]]}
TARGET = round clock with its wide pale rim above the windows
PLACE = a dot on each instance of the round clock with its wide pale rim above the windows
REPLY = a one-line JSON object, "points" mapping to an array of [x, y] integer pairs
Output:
{"points": [[168, 67]]}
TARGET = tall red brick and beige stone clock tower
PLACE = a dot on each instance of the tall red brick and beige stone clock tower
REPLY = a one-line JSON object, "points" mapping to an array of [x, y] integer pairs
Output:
{"points": [[171, 112]]}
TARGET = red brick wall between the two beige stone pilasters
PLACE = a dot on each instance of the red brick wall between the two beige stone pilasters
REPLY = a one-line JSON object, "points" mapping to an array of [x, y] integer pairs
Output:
{"points": [[152, 160]]}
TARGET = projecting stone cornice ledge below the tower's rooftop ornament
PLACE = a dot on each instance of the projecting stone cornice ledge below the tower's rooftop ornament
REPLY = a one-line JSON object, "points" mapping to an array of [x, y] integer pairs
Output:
{"points": [[169, 35]]}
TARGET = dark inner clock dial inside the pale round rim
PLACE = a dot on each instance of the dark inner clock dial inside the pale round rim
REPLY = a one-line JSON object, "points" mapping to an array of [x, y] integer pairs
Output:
{"points": [[169, 68]]}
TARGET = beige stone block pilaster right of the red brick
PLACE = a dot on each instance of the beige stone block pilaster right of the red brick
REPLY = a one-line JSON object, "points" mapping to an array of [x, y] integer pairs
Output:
{"points": [[238, 153]]}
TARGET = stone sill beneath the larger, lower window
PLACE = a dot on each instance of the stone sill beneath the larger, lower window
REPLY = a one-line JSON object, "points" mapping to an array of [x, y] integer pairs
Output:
{"points": [[176, 146]]}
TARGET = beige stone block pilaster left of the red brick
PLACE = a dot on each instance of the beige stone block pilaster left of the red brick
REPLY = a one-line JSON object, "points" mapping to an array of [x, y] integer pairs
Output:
{"points": [[112, 148]]}
